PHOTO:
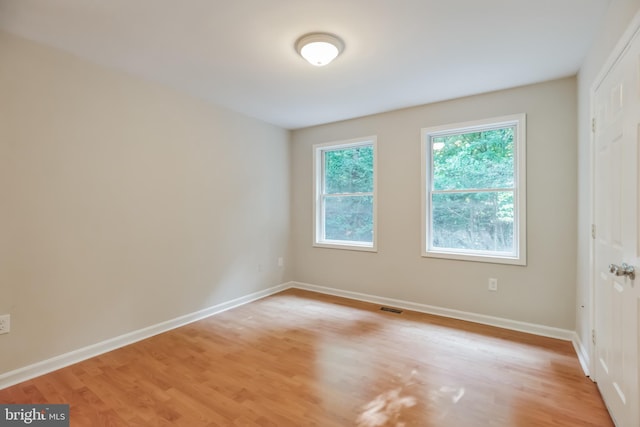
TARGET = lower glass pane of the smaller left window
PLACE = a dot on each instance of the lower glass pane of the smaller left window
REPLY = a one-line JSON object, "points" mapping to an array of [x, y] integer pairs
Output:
{"points": [[349, 218]]}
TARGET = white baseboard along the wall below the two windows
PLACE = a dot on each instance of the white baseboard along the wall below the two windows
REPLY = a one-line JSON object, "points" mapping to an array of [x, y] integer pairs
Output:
{"points": [[515, 325]]}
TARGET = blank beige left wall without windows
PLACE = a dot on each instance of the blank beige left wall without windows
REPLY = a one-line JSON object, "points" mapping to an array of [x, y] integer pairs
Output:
{"points": [[124, 204]]}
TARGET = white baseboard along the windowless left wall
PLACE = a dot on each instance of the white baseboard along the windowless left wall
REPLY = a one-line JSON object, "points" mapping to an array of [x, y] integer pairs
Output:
{"points": [[25, 373]]}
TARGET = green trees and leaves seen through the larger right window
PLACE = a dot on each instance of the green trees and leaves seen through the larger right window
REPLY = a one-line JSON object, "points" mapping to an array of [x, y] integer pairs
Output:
{"points": [[472, 203]]}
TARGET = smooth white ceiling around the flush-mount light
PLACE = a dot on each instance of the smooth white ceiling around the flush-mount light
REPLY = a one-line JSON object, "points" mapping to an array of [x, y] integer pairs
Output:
{"points": [[240, 54]]}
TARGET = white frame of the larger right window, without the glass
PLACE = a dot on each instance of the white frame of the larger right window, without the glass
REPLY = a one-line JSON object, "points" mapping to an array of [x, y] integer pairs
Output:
{"points": [[519, 256]]}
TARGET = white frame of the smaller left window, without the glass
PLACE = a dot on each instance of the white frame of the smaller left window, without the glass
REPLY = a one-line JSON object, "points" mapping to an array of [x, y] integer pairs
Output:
{"points": [[318, 194]]}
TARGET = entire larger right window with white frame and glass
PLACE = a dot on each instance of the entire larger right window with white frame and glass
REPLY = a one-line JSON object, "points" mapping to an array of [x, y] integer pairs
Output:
{"points": [[474, 191]]}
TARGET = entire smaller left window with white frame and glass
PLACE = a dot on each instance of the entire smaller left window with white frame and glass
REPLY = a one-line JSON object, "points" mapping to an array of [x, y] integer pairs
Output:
{"points": [[345, 194]]}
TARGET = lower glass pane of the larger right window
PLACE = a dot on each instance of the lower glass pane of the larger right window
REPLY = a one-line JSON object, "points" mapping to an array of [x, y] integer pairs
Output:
{"points": [[476, 221]]}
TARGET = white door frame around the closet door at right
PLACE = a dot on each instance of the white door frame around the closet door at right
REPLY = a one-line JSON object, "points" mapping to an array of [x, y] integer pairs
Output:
{"points": [[633, 30]]}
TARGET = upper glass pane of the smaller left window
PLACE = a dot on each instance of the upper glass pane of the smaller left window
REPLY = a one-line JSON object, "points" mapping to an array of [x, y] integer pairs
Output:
{"points": [[349, 170]]}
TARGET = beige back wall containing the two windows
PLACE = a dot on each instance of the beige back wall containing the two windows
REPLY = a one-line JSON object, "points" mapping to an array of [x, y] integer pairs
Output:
{"points": [[543, 292]]}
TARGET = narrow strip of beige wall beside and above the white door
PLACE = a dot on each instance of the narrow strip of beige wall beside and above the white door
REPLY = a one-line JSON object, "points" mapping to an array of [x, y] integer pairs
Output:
{"points": [[618, 18]]}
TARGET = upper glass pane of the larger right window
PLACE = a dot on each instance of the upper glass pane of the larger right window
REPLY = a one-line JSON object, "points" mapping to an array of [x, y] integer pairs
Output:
{"points": [[473, 160]]}
